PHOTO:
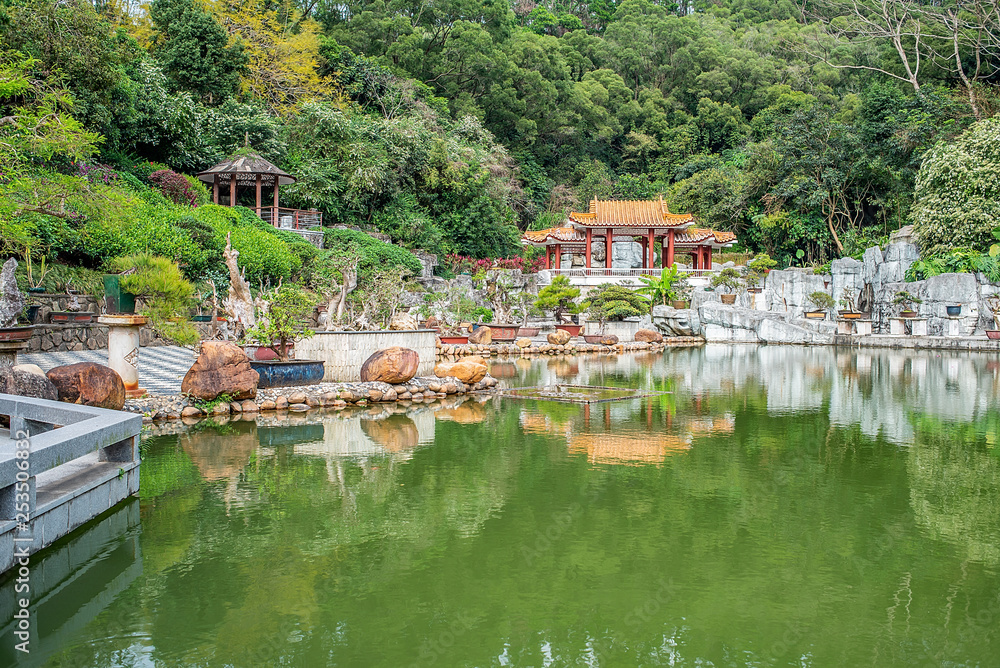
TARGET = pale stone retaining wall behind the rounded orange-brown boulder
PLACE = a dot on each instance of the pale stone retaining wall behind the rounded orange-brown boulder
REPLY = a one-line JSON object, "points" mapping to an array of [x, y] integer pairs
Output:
{"points": [[345, 352]]}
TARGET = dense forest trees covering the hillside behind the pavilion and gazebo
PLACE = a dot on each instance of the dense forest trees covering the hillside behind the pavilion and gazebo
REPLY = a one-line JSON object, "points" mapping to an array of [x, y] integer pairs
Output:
{"points": [[453, 125]]}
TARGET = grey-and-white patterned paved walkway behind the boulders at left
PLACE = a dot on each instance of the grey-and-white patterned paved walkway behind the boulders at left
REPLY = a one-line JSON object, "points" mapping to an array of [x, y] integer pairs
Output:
{"points": [[161, 368]]}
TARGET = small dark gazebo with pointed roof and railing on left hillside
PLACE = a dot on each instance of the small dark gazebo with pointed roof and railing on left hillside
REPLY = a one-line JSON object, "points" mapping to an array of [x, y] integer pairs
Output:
{"points": [[246, 170]]}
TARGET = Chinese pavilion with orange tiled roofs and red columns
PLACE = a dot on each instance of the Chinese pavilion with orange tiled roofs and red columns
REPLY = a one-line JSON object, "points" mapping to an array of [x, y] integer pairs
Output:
{"points": [[613, 221]]}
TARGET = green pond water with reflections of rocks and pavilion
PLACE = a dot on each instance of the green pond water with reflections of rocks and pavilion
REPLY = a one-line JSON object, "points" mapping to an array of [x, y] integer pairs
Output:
{"points": [[780, 507]]}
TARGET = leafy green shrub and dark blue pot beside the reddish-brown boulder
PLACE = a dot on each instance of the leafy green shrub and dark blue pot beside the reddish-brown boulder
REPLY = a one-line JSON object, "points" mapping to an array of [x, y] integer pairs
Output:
{"points": [[277, 330]]}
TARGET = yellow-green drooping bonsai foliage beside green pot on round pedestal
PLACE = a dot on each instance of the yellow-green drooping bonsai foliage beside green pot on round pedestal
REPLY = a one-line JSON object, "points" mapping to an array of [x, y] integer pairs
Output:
{"points": [[162, 293]]}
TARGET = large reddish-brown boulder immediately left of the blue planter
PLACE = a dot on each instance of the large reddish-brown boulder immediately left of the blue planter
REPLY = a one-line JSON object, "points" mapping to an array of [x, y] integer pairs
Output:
{"points": [[221, 368]]}
